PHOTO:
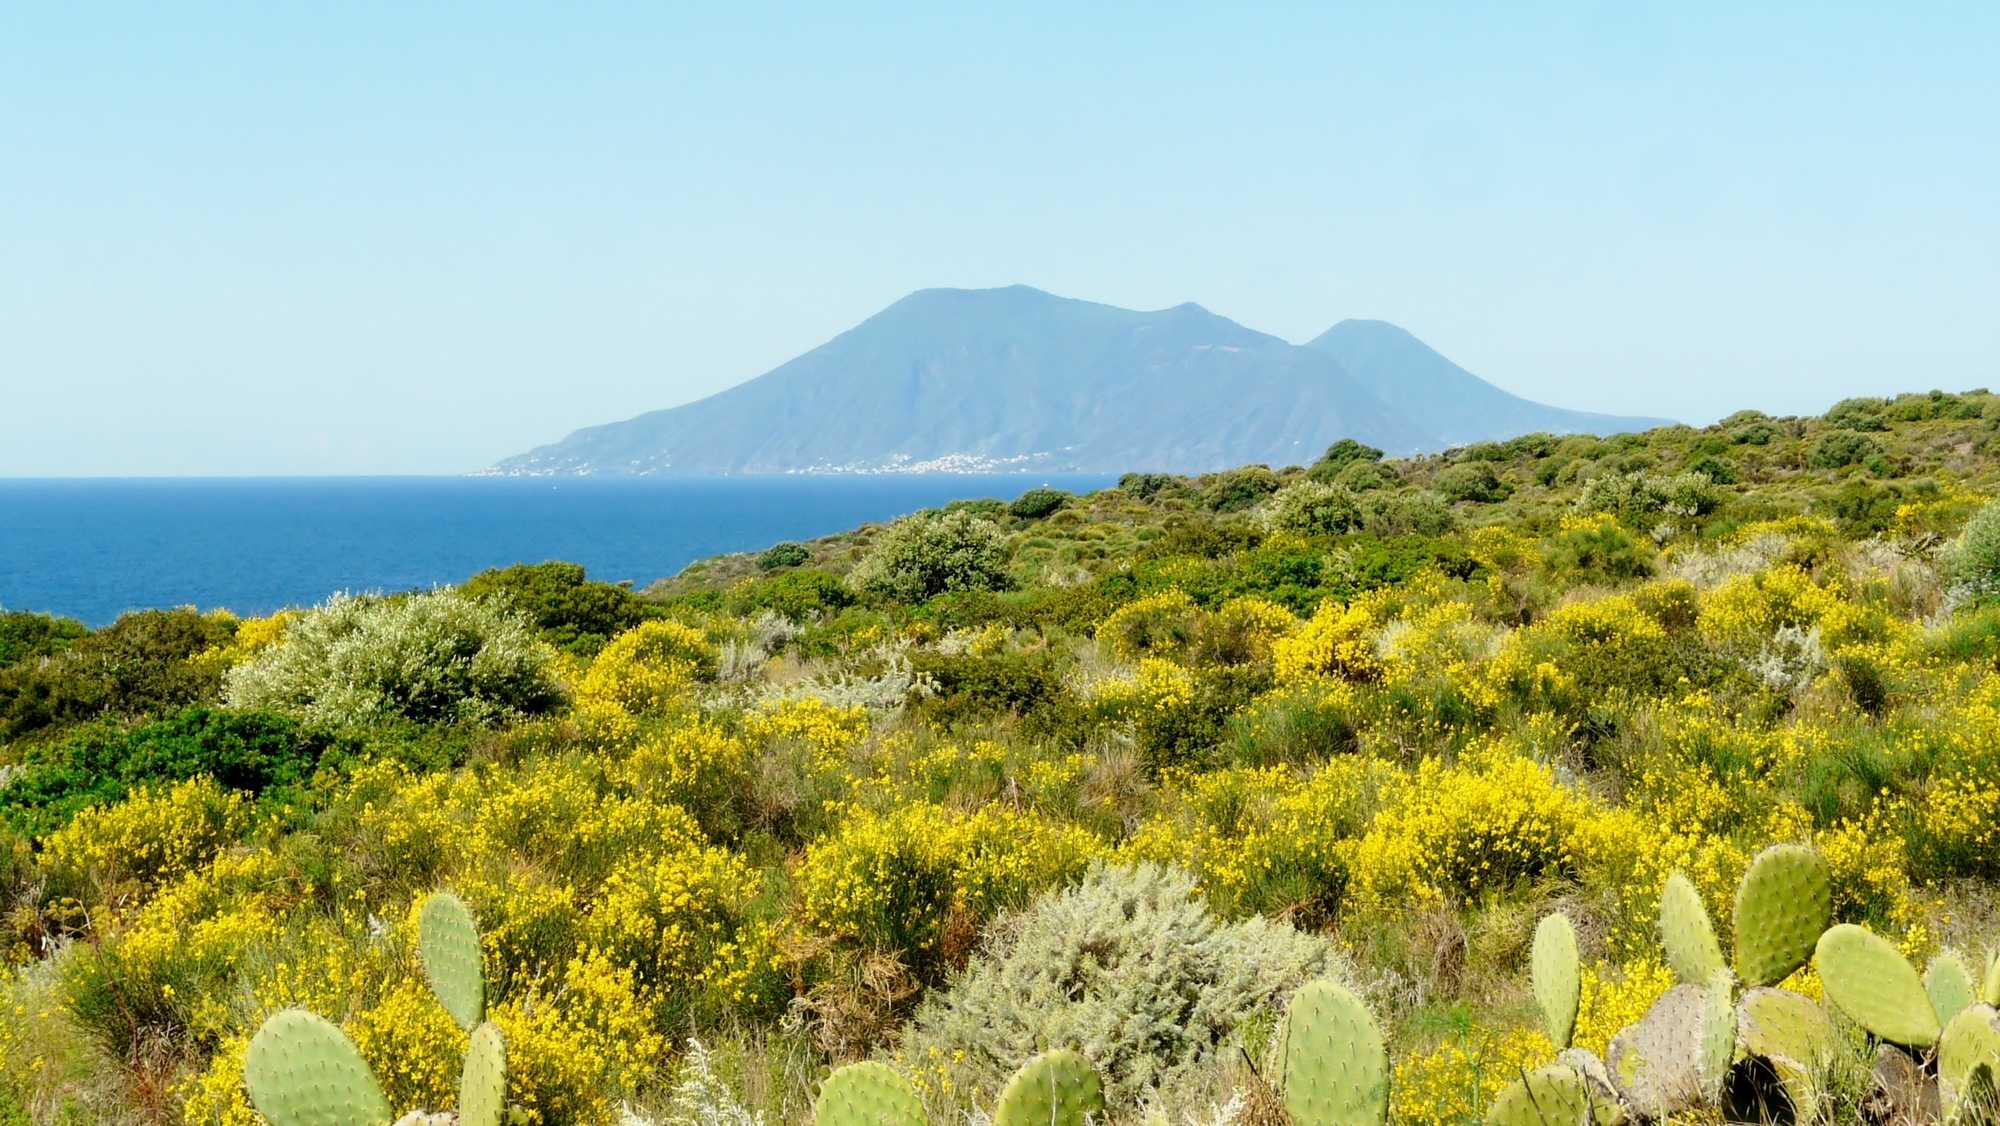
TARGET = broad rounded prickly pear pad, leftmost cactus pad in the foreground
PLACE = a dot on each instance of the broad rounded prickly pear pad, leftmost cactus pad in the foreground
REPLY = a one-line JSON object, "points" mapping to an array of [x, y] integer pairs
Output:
{"points": [[303, 1071]]}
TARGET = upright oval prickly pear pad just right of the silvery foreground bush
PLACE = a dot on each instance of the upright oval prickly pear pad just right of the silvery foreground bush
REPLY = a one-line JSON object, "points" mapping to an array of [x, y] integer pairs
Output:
{"points": [[1333, 1067]]}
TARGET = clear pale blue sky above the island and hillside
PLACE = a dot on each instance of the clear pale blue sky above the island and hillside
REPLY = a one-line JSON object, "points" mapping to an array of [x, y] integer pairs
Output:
{"points": [[327, 239]]}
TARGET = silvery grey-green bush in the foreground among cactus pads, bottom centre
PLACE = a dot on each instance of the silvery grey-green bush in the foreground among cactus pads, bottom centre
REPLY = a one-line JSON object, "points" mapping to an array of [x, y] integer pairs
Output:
{"points": [[1131, 969]]}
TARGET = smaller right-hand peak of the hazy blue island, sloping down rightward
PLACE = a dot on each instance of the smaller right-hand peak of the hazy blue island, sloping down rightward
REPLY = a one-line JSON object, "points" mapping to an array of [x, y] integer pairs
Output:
{"points": [[1445, 399]]}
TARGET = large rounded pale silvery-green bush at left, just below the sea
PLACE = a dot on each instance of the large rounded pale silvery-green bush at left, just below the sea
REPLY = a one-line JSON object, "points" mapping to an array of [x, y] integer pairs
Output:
{"points": [[435, 657]]}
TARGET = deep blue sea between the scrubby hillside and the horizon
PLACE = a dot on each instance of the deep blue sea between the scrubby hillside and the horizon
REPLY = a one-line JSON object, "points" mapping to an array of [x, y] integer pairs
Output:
{"points": [[93, 549]]}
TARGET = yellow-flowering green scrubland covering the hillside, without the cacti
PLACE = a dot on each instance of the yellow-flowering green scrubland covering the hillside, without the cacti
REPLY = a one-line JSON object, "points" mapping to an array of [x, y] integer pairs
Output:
{"points": [[1115, 773]]}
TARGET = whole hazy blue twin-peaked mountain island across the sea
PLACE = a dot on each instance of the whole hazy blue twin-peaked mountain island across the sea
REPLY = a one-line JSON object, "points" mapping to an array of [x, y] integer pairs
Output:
{"points": [[1015, 379]]}
